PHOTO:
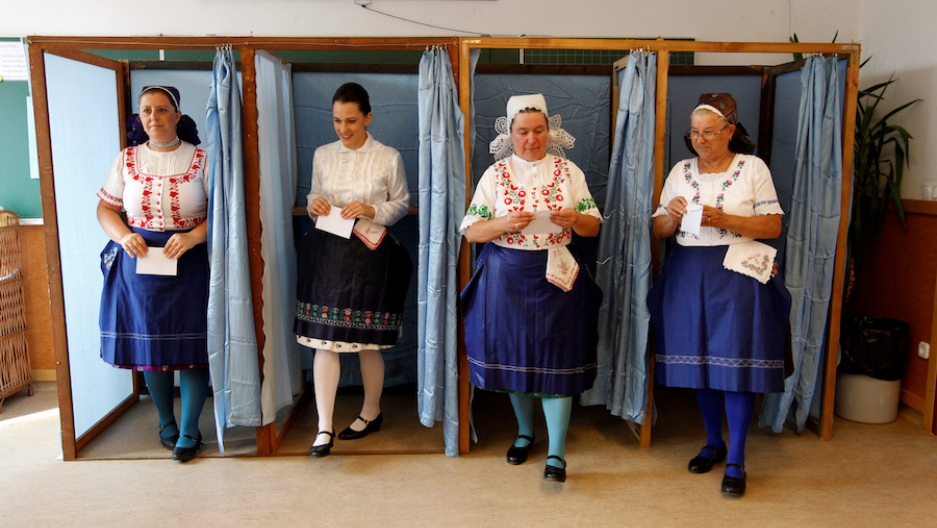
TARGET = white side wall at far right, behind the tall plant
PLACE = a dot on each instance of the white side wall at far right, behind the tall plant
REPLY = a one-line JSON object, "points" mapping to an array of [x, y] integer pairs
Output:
{"points": [[899, 36]]}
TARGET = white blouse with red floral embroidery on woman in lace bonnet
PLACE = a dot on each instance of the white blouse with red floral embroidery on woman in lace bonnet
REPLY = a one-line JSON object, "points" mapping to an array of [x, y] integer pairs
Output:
{"points": [[514, 184]]}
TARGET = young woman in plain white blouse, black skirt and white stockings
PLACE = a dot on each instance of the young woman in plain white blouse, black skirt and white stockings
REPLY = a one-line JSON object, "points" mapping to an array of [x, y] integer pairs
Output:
{"points": [[351, 291]]}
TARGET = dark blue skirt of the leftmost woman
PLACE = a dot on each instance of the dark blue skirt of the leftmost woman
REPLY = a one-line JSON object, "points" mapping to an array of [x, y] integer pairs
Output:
{"points": [[154, 322]]}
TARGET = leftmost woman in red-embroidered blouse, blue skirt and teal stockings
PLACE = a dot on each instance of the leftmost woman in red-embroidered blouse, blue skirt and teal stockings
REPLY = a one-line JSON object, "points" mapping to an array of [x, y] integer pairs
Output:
{"points": [[158, 323]]}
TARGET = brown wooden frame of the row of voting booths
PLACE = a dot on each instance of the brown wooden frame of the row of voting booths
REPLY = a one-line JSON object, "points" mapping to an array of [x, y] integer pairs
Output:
{"points": [[268, 438]]}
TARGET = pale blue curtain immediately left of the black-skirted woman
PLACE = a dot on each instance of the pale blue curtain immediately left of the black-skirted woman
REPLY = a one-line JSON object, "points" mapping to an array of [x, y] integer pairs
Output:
{"points": [[282, 371]]}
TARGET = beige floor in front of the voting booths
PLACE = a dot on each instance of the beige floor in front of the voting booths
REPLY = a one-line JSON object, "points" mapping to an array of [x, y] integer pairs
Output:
{"points": [[869, 475]]}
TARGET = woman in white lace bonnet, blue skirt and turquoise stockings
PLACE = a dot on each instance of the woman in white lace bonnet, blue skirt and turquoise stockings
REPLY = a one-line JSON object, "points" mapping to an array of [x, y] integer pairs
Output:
{"points": [[531, 308]]}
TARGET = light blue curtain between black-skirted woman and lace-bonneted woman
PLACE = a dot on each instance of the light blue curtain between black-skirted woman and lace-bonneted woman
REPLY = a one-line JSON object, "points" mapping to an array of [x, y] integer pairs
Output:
{"points": [[441, 202]]}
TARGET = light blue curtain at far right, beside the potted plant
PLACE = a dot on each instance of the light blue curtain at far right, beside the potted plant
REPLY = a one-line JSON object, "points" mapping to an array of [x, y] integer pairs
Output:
{"points": [[811, 237]]}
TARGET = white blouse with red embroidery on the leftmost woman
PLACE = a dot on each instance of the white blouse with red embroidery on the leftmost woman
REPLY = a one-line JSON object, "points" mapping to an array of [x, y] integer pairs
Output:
{"points": [[161, 191]]}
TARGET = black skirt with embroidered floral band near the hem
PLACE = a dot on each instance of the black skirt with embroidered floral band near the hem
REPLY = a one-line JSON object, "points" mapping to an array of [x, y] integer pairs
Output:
{"points": [[348, 292]]}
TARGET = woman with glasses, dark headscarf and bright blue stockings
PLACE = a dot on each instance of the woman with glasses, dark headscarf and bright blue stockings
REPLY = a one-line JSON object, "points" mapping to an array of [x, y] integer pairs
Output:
{"points": [[720, 308]]}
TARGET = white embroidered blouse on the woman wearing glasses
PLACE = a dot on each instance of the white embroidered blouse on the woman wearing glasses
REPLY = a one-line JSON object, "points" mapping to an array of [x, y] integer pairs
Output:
{"points": [[746, 189]]}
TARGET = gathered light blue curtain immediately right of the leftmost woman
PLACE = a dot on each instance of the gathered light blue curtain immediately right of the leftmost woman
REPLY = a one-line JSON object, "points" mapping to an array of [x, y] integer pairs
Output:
{"points": [[232, 345]]}
